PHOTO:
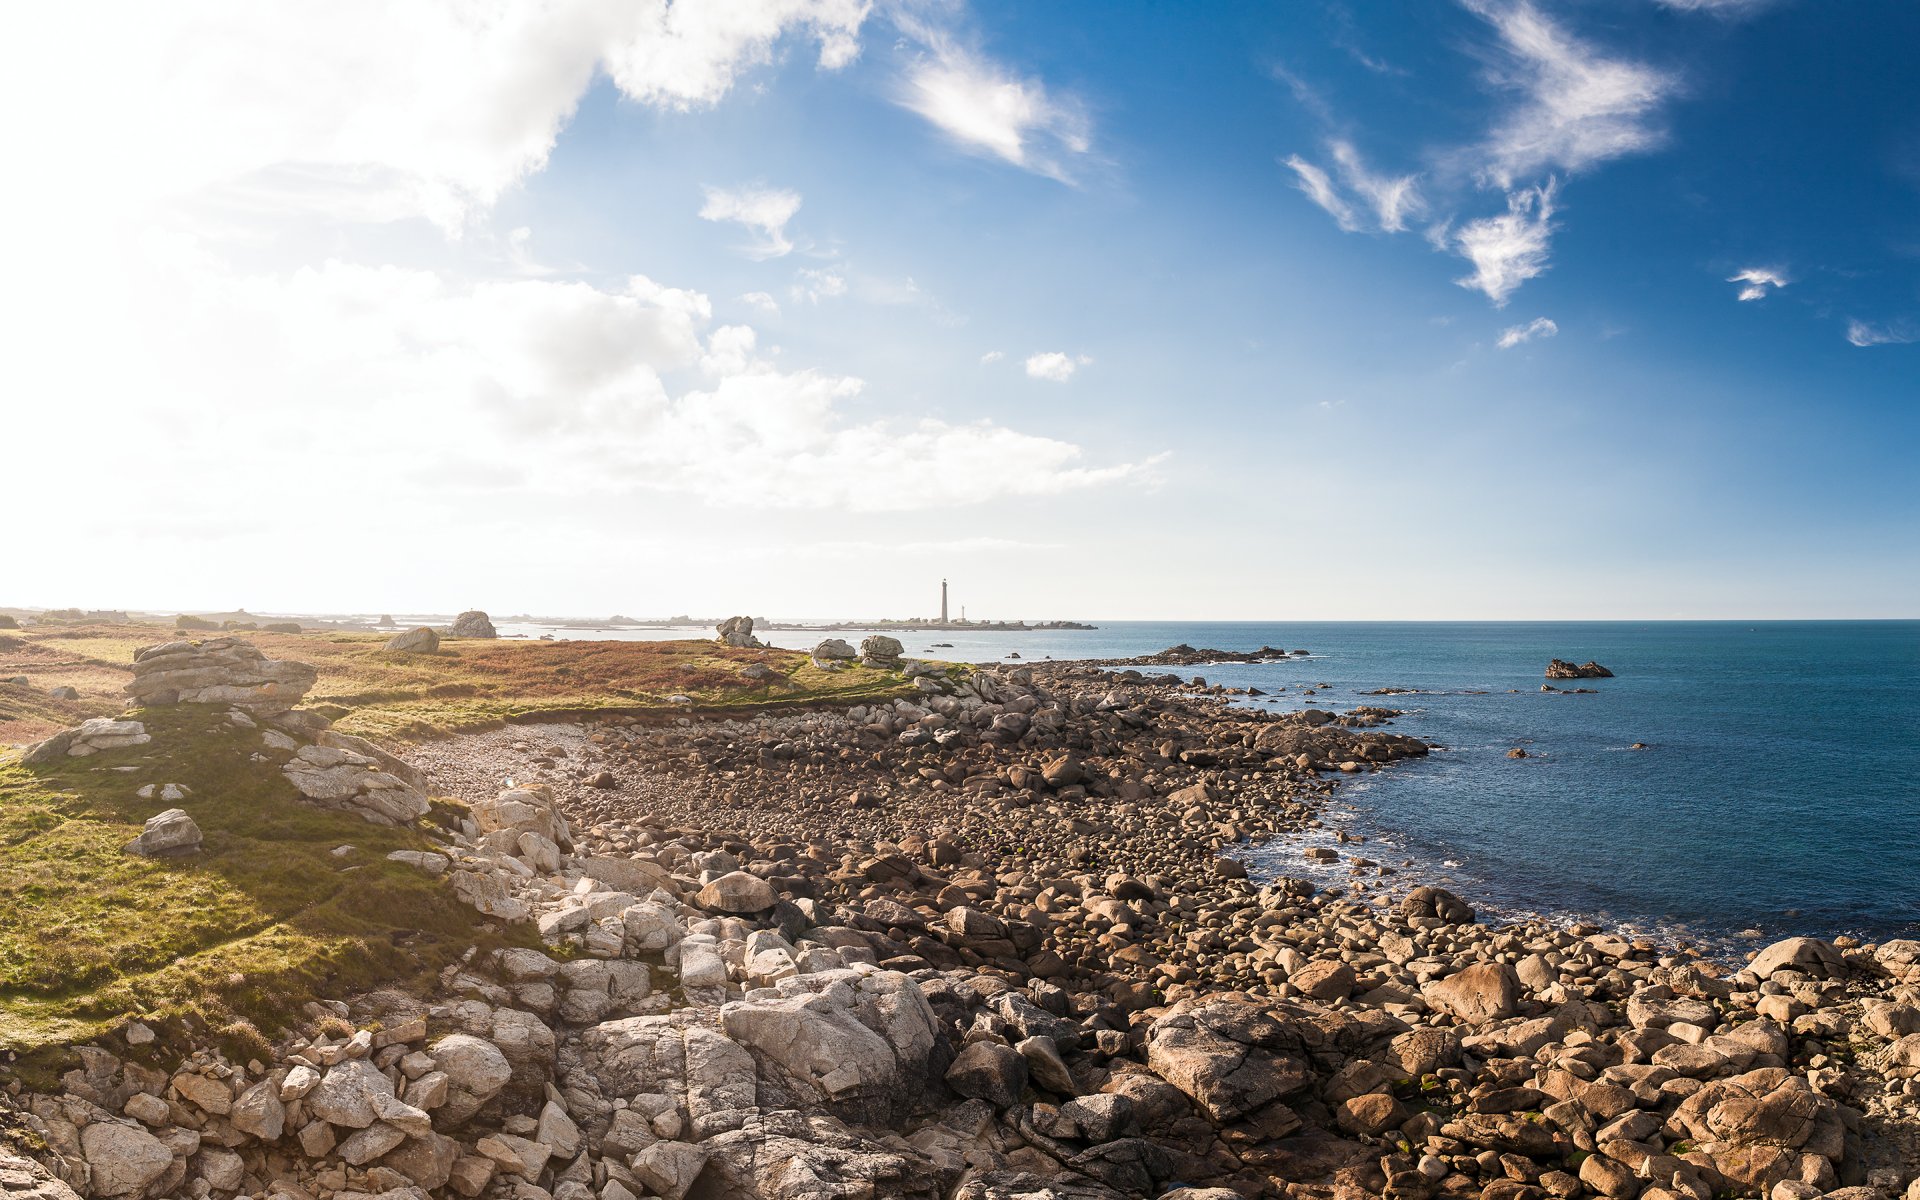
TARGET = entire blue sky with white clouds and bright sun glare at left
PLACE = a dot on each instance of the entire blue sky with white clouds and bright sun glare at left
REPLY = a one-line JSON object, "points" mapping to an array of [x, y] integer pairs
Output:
{"points": [[1274, 312]]}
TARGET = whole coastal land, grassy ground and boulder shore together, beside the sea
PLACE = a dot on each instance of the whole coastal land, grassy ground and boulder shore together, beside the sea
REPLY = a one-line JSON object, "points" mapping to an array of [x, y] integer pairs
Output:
{"points": [[631, 921]]}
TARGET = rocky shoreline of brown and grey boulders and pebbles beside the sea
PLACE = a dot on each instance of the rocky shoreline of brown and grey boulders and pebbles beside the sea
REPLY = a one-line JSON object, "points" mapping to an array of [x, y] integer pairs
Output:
{"points": [[994, 944]]}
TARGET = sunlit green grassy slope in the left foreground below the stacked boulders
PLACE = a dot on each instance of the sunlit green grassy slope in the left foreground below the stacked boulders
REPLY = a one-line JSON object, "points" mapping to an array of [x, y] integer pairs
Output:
{"points": [[247, 930]]}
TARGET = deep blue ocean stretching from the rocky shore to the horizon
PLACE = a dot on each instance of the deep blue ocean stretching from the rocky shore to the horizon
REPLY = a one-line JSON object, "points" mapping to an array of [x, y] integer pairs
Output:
{"points": [[1779, 792]]}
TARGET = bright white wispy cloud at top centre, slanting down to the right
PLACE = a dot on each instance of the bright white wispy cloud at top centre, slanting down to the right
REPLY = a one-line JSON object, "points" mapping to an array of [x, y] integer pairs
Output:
{"points": [[990, 110]]}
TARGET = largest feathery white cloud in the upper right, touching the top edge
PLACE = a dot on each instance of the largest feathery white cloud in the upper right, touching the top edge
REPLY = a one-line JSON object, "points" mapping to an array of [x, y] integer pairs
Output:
{"points": [[1577, 107]]}
